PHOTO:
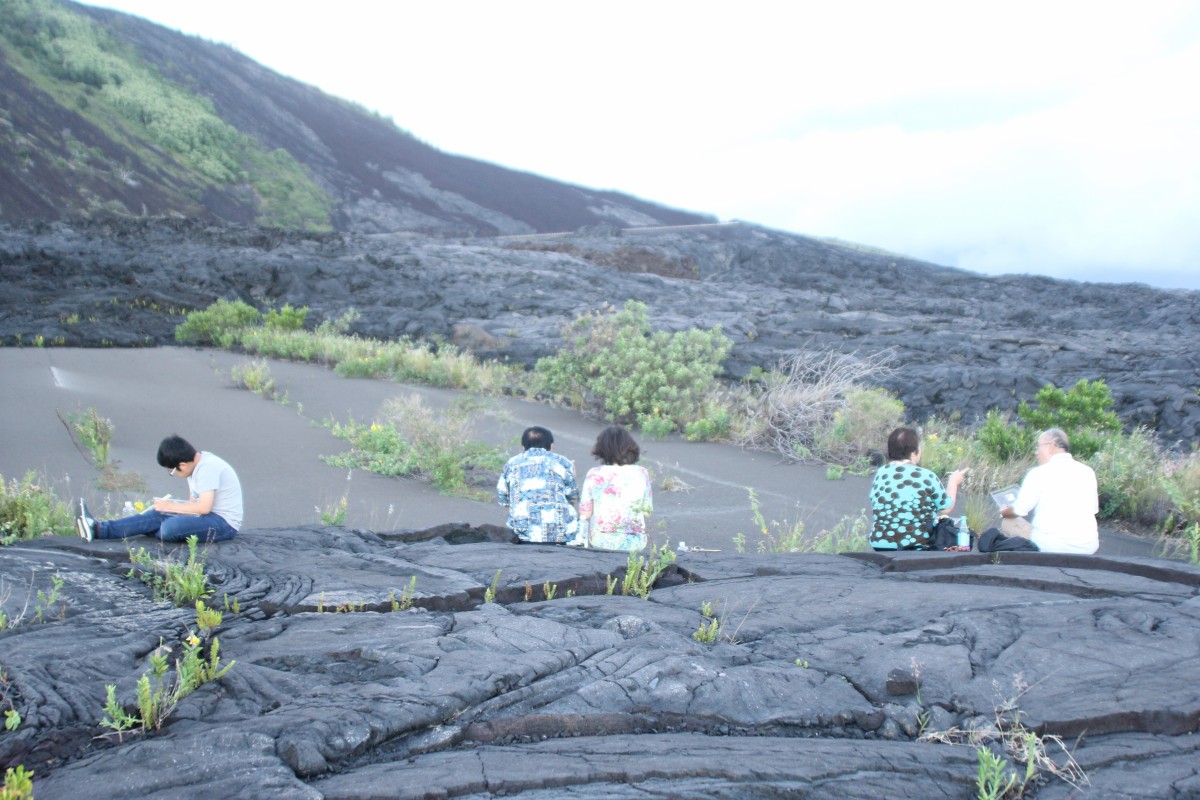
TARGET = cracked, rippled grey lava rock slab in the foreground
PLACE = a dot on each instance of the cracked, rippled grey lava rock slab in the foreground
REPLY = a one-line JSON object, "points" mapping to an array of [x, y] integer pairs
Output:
{"points": [[596, 696]]}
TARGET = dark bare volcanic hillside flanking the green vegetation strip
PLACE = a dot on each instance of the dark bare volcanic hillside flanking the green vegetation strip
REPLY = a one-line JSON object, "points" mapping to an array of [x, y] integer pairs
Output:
{"points": [[57, 164]]}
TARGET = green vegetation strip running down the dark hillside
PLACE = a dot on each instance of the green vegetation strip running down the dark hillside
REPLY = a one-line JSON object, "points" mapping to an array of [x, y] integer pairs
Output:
{"points": [[83, 68]]}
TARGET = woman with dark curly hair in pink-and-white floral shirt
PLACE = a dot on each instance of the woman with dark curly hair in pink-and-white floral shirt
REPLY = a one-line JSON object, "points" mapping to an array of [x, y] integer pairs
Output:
{"points": [[617, 496]]}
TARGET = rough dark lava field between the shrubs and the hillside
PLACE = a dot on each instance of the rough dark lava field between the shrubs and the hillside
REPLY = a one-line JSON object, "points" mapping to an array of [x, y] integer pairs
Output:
{"points": [[964, 342]]}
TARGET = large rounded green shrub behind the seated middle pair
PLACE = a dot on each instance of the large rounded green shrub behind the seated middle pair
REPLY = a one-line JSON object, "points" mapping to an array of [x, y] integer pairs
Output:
{"points": [[614, 364]]}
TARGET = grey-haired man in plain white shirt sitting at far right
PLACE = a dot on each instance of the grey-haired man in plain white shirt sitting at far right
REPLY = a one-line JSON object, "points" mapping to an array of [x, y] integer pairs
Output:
{"points": [[1060, 498]]}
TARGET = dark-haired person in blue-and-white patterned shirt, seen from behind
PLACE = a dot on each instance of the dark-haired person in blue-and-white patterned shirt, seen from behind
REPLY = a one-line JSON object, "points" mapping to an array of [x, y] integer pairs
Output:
{"points": [[539, 490]]}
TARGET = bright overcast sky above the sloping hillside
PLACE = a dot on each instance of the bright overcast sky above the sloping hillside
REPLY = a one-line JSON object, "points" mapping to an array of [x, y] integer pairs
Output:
{"points": [[1059, 139]]}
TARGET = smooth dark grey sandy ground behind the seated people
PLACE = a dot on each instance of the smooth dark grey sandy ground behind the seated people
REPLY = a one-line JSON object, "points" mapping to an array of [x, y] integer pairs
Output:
{"points": [[277, 448]]}
